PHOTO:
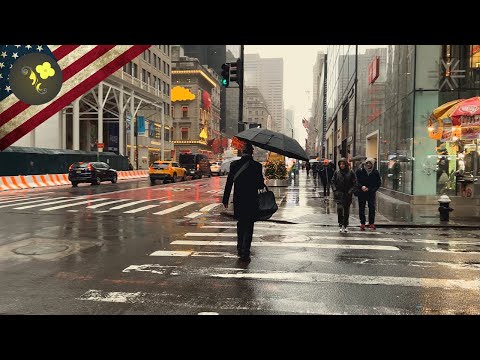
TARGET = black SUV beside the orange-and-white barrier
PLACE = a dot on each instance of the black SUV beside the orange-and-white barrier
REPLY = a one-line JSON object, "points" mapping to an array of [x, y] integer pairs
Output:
{"points": [[91, 172]]}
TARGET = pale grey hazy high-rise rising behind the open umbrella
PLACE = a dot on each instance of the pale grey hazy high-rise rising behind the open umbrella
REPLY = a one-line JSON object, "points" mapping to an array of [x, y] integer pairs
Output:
{"points": [[267, 75]]}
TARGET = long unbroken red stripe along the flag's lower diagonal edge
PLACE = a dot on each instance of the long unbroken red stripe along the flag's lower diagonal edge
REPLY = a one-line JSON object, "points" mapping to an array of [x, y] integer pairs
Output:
{"points": [[121, 57]]}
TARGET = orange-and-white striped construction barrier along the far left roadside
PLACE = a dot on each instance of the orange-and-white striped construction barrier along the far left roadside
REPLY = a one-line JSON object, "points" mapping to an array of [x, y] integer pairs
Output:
{"points": [[35, 181]]}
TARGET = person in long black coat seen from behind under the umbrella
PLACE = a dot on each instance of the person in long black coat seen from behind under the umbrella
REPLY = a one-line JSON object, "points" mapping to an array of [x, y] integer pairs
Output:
{"points": [[247, 183]]}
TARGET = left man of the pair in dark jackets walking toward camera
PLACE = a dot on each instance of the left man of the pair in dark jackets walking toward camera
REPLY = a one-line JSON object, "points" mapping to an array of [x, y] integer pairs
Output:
{"points": [[344, 182]]}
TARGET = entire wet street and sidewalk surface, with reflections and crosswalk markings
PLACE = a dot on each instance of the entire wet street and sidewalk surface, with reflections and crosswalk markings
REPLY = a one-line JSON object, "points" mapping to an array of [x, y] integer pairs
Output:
{"points": [[132, 248]]}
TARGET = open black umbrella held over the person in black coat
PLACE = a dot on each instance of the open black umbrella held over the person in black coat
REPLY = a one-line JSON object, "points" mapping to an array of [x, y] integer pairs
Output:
{"points": [[274, 141]]}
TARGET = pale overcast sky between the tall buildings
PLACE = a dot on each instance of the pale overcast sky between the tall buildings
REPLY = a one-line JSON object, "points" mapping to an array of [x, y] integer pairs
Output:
{"points": [[298, 61]]}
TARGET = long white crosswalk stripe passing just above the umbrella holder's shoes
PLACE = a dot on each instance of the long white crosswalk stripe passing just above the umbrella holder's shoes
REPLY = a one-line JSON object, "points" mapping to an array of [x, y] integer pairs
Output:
{"points": [[284, 244]]}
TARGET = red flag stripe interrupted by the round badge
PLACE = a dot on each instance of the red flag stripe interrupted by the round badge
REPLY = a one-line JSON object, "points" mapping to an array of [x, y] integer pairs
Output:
{"points": [[67, 73]]}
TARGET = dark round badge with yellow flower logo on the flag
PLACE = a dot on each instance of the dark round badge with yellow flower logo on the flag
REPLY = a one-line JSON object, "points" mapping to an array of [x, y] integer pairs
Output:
{"points": [[36, 78]]}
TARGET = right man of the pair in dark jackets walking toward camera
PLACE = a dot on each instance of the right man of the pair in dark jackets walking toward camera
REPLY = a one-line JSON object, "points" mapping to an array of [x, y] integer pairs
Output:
{"points": [[368, 183]]}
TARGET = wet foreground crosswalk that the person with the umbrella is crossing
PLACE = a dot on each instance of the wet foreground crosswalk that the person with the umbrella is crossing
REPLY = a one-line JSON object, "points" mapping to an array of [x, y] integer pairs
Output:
{"points": [[303, 269]]}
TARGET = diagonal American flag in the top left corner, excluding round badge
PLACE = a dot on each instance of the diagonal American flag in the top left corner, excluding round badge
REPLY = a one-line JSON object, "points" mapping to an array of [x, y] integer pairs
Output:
{"points": [[83, 67]]}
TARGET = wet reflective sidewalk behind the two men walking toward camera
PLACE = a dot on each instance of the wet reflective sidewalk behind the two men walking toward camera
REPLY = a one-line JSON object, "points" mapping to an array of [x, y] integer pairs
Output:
{"points": [[303, 203]]}
